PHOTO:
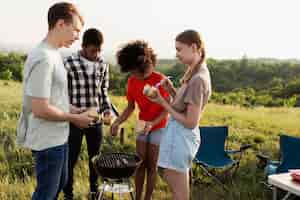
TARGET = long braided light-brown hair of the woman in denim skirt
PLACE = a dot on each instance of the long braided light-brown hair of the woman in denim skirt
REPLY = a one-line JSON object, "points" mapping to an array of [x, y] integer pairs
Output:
{"points": [[190, 37]]}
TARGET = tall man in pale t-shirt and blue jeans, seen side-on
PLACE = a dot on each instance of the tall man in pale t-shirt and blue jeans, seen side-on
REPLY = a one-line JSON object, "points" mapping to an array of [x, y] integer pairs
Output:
{"points": [[44, 123]]}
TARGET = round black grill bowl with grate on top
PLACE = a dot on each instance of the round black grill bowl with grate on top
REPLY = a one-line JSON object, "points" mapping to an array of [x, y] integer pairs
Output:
{"points": [[116, 165]]}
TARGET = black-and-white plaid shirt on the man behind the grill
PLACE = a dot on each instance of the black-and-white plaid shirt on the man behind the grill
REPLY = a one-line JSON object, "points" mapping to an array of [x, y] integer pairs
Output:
{"points": [[87, 89]]}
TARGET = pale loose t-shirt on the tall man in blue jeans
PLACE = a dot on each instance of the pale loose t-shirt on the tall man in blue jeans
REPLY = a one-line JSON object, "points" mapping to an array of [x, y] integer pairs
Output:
{"points": [[47, 79]]}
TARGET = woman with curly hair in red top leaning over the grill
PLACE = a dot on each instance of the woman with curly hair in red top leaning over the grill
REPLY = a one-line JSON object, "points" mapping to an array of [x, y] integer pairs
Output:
{"points": [[139, 60]]}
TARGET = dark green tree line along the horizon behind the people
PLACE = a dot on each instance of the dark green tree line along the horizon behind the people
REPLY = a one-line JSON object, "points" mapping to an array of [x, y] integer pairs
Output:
{"points": [[247, 82]]}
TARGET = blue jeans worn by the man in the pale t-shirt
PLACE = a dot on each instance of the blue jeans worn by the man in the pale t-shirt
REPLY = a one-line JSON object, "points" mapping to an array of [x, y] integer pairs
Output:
{"points": [[51, 168]]}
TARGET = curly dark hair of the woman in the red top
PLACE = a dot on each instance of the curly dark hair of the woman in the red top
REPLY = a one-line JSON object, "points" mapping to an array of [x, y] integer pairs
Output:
{"points": [[136, 56]]}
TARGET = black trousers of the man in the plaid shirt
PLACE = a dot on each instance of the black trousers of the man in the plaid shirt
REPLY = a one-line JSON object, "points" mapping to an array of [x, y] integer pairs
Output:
{"points": [[93, 136]]}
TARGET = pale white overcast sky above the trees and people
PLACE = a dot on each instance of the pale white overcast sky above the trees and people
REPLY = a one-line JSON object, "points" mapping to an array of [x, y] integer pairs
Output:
{"points": [[231, 28]]}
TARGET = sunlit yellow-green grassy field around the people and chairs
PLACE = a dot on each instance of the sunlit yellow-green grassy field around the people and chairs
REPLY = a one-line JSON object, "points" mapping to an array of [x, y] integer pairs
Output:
{"points": [[259, 126]]}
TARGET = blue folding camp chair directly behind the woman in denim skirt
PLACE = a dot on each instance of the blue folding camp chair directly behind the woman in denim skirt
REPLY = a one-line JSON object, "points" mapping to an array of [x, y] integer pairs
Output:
{"points": [[212, 154]]}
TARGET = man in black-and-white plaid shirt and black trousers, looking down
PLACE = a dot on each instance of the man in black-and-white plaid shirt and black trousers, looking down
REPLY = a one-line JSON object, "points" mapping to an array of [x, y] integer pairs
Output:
{"points": [[88, 81]]}
